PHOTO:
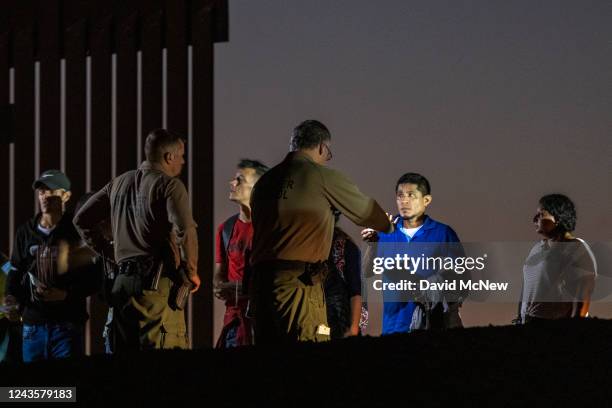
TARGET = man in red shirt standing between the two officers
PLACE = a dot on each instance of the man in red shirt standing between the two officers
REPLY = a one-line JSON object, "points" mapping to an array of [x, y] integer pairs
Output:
{"points": [[233, 246]]}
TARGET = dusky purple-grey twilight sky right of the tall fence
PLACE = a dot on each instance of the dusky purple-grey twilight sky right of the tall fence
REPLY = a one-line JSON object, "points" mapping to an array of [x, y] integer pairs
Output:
{"points": [[495, 102]]}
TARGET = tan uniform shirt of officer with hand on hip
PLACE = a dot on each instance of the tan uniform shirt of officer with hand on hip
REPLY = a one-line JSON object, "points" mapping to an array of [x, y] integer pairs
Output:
{"points": [[149, 212]]}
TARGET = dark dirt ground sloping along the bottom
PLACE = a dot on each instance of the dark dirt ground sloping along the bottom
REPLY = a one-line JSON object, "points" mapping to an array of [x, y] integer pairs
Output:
{"points": [[562, 362]]}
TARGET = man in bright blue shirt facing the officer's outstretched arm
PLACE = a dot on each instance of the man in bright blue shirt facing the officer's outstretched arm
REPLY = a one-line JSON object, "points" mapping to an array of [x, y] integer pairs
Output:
{"points": [[419, 235]]}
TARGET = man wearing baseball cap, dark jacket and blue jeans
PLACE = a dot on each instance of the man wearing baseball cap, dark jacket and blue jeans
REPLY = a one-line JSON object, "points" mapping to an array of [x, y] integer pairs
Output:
{"points": [[50, 296]]}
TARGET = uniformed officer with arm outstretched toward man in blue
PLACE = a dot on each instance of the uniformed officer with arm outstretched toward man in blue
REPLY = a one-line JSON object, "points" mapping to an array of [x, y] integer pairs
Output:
{"points": [[293, 228]]}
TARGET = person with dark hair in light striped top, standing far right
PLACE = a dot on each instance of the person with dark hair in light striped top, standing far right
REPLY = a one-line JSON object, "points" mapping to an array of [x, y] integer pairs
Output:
{"points": [[559, 272]]}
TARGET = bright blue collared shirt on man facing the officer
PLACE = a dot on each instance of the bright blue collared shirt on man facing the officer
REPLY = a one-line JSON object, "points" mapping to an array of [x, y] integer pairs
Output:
{"points": [[397, 316]]}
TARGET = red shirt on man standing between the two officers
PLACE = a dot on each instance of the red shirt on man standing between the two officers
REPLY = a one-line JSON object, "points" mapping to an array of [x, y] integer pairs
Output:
{"points": [[240, 242]]}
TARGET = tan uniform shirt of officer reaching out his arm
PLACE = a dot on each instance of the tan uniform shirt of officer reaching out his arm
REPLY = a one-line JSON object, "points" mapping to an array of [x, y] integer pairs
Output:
{"points": [[291, 210]]}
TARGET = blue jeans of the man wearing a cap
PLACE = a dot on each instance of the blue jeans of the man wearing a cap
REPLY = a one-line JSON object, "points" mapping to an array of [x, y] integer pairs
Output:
{"points": [[51, 341]]}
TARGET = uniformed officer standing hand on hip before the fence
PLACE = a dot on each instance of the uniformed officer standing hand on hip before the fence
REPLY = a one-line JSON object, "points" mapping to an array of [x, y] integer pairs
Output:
{"points": [[150, 218]]}
